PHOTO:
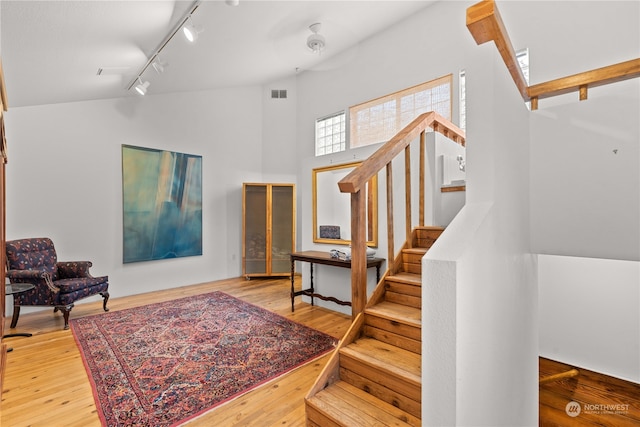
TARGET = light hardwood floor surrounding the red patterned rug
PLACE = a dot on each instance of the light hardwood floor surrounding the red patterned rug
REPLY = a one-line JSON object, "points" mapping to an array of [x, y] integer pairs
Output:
{"points": [[46, 383]]}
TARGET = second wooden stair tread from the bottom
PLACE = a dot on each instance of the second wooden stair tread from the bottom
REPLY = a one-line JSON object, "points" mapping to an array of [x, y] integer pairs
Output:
{"points": [[386, 357]]}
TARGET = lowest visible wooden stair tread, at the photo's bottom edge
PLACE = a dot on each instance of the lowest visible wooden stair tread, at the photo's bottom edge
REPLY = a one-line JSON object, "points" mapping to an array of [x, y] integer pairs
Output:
{"points": [[355, 407]]}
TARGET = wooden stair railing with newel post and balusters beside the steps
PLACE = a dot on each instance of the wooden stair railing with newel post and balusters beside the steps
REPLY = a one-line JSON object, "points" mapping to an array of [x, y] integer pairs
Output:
{"points": [[356, 182]]}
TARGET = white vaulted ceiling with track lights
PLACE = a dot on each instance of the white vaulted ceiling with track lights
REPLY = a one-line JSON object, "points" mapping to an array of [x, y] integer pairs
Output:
{"points": [[52, 50]]}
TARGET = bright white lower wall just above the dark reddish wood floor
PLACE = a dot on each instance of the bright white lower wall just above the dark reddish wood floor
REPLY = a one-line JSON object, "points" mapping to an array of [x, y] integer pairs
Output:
{"points": [[591, 314]]}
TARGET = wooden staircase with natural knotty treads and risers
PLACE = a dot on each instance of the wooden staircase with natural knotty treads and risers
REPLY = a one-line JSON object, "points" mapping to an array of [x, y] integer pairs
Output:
{"points": [[374, 377]]}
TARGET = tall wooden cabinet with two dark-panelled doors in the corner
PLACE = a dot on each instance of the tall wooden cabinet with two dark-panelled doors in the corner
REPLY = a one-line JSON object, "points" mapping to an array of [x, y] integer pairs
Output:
{"points": [[268, 229]]}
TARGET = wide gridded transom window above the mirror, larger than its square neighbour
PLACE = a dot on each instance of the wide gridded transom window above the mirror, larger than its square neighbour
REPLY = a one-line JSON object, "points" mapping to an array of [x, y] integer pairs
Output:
{"points": [[379, 120]]}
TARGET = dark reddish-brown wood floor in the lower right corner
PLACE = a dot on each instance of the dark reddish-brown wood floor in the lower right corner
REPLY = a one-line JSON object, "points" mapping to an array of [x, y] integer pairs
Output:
{"points": [[604, 400]]}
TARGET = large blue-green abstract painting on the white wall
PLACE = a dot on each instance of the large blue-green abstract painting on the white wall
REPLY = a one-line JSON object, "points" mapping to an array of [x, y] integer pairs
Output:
{"points": [[162, 204]]}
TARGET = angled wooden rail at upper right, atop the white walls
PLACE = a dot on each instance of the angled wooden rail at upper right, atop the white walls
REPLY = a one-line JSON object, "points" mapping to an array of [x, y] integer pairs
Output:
{"points": [[485, 24]]}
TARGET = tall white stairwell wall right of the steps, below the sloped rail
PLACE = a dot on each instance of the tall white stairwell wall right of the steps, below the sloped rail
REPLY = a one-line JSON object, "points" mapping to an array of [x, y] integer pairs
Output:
{"points": [[497, 311]]}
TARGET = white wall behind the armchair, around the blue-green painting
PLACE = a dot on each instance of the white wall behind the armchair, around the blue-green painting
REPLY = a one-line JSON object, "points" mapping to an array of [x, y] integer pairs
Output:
{"points": [[64, 178]]}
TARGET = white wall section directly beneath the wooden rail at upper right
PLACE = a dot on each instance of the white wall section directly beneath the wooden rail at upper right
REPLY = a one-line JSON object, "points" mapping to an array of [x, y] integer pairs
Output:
{"points": [[585, 188]]}
